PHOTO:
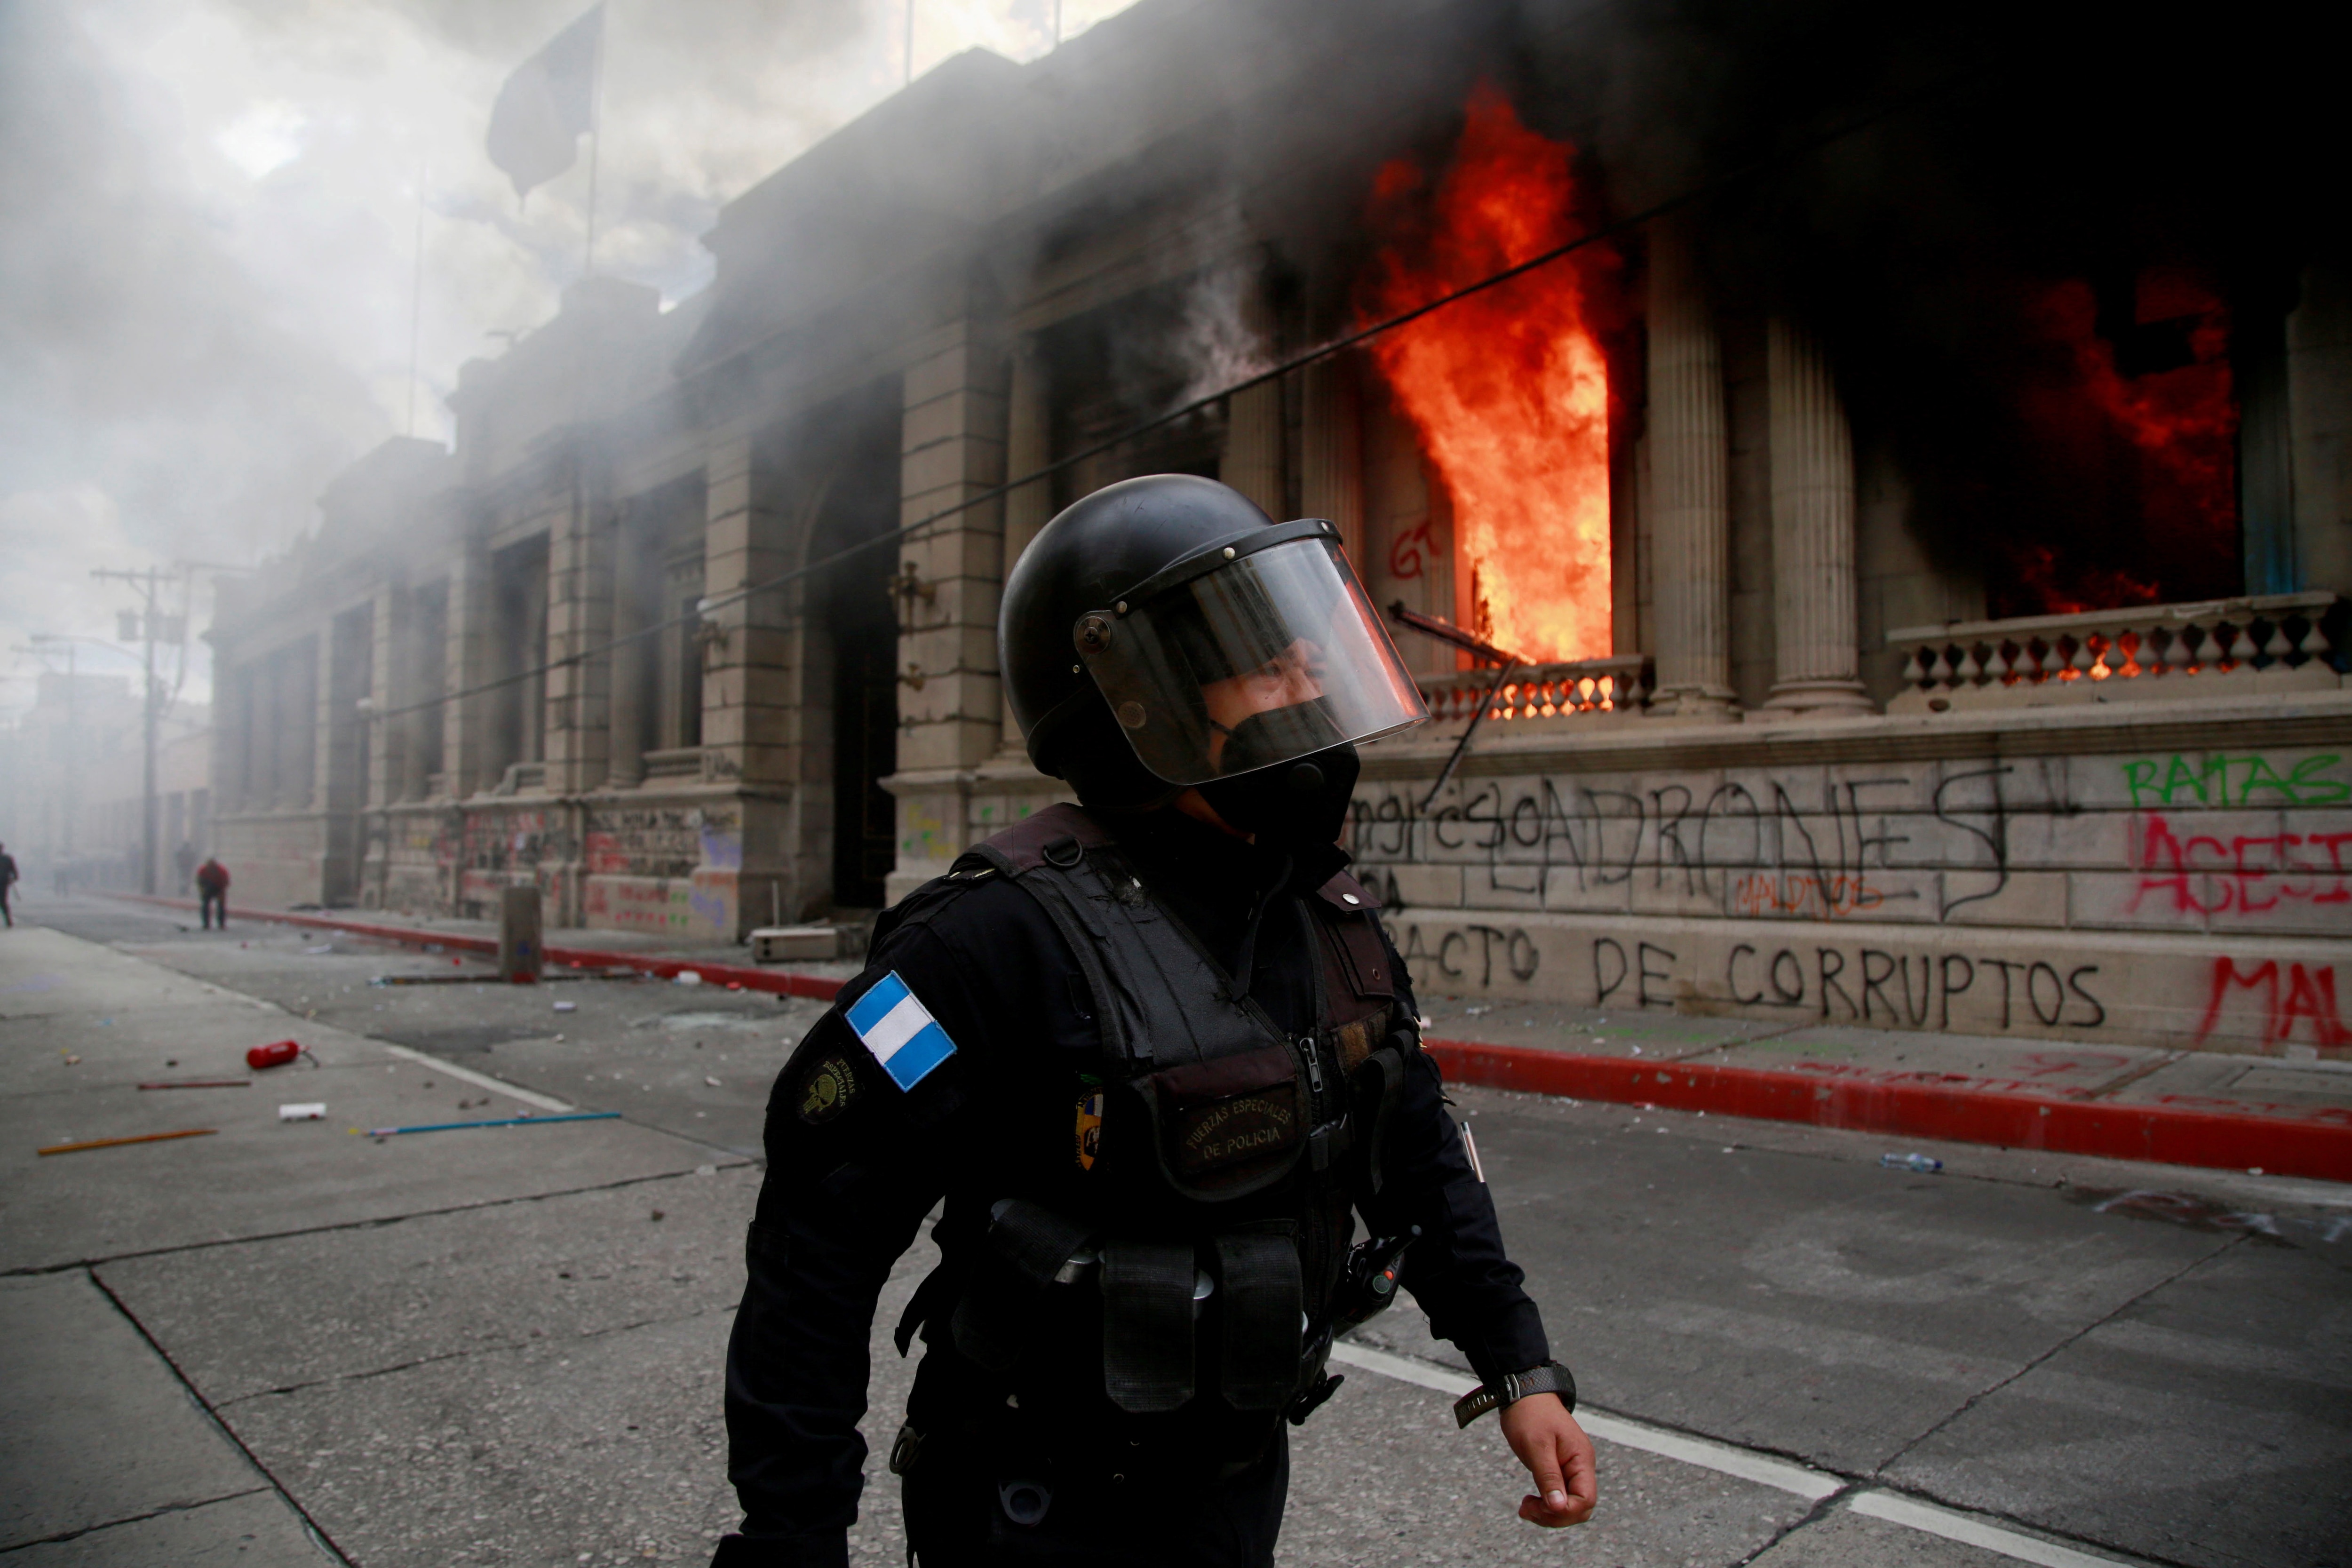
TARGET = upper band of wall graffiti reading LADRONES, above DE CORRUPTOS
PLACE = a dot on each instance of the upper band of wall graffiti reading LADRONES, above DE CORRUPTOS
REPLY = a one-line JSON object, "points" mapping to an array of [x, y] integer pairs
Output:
{"points": [[2172, 840]]}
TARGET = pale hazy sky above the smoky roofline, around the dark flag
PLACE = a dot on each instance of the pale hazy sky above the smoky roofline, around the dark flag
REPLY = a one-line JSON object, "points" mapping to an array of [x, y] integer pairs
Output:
{"points": [[211, 220]]}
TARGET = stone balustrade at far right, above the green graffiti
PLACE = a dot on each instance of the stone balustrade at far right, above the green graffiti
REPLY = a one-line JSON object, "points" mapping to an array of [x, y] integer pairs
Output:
{"points": [[2149, 652]]}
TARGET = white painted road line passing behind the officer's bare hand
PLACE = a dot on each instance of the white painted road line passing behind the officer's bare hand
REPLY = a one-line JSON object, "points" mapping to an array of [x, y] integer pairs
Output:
{"points": [[1760, 1468]]}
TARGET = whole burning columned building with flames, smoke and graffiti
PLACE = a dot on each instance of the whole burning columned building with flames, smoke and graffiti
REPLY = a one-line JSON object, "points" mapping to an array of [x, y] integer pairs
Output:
{"points": [[1887, 492]]}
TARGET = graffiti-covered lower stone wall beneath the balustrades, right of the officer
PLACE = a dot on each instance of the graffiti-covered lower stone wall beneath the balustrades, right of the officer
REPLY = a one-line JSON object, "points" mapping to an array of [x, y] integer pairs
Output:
{"points": [[2090, 887]]}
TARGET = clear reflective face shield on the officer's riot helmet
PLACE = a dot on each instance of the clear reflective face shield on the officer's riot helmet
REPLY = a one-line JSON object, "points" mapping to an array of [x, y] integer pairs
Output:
{"points": [[1248, 655]]}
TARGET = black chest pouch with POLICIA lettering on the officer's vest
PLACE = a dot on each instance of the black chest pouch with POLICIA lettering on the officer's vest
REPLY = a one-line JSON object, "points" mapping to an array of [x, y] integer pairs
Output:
{"points": [[1229, 1127]]}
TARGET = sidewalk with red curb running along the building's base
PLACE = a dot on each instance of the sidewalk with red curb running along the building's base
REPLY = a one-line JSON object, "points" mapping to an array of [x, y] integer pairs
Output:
{"points": [[2186, 1108]]}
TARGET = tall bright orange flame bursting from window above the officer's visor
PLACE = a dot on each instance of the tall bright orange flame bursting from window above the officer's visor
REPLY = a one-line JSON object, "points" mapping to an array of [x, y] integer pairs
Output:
{"points": [[1509, 389]]}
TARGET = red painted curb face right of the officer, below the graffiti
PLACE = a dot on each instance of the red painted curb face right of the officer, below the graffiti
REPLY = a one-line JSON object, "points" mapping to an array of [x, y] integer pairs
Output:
{"points": [[2278, 1146]]}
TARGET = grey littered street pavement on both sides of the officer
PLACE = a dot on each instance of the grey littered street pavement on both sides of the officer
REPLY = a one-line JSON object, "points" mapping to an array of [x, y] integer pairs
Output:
{"points": [[286, 1343]]}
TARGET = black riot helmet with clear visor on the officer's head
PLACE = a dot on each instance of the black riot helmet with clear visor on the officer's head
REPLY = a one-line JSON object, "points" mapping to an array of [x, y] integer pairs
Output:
{"points": [[1165, 634]]}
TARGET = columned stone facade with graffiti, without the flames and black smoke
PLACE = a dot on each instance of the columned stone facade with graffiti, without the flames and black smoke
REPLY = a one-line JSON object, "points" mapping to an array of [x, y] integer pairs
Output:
{"points": [[643, 641]]}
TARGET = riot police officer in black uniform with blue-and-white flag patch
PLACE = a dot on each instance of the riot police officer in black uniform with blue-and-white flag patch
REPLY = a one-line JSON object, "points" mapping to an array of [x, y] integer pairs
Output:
{"points": [[1149, 1059]]}
